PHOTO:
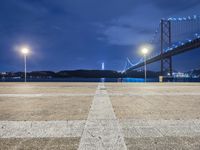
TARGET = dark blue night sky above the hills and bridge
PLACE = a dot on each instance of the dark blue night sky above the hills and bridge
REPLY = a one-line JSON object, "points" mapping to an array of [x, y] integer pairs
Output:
{"points": [[80, 34]]}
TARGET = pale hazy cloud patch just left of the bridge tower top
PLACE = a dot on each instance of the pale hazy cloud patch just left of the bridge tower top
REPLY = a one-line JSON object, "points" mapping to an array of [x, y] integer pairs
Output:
{"points": [[132, 29]]}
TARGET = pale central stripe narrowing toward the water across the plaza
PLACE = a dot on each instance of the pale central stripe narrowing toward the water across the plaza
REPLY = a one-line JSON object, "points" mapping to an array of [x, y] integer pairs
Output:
{"points": [[102, 130]]}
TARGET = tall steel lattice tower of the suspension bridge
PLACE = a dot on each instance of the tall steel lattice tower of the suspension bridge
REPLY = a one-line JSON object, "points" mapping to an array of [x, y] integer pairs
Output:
{"points": [[166, 64]]}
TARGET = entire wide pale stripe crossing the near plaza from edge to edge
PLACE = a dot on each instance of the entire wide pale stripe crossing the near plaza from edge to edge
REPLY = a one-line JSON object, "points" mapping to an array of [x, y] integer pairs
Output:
{"points": [[100, 129]]}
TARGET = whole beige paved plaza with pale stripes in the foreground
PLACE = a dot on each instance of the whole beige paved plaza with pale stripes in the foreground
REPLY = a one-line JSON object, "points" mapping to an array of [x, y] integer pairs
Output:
{"points": [[104, 116]]}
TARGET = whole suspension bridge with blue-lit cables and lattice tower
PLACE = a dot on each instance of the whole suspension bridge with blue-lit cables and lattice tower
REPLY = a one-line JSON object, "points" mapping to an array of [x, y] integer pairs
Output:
{"points": [[172, 37]]}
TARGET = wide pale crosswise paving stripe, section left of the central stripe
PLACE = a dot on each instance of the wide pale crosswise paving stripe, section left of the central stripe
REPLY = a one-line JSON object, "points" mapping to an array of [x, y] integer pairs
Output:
{"points": [[41, 129]]}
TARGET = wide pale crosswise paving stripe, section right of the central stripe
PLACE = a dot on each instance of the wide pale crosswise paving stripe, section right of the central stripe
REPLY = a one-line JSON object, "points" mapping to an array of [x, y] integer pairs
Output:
{"points": [[160, 128]]}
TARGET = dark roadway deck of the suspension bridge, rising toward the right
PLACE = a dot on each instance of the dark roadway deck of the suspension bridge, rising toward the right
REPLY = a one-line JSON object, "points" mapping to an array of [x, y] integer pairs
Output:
{"points": [[175, 51]]}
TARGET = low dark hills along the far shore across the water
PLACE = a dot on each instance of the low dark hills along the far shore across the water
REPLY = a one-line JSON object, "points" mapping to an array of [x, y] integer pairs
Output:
{"points": [[90, 74]]}
